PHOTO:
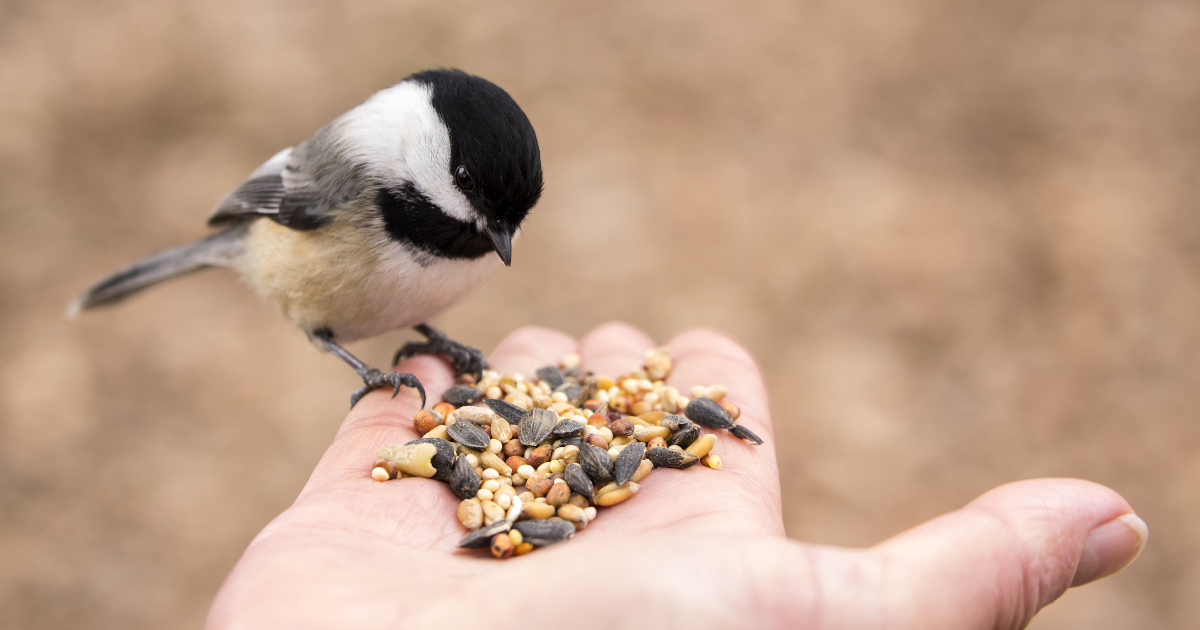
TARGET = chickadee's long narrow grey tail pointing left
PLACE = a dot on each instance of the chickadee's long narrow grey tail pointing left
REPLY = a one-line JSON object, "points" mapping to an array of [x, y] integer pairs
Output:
{"points": [[219, 250]]}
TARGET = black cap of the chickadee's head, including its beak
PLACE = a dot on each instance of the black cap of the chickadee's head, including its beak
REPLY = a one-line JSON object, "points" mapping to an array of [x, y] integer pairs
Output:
{"points": [[495, 160]]}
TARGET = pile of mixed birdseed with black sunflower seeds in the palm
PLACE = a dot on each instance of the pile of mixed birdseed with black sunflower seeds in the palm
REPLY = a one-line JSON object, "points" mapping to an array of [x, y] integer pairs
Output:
{"points": [[537, 461]]}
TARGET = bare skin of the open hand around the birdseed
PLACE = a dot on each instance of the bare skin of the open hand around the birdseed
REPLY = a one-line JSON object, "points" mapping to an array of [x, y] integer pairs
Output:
{"points": [[697, 549]]}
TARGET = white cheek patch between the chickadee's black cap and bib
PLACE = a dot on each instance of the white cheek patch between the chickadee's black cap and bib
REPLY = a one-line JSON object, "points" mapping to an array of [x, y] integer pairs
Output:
{"points": [[399, 136]]}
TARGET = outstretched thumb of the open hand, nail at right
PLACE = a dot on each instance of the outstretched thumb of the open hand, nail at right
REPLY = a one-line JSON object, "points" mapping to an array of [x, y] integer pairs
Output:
{"points": [[1005, 556]]}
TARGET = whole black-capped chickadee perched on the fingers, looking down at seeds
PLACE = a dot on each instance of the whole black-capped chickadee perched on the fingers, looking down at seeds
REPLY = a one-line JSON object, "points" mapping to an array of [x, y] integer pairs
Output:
{"points": [[383, 219]]}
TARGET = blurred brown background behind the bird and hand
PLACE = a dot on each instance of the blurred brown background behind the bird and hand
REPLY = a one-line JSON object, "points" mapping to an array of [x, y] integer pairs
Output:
{"points": [[962, 238]]}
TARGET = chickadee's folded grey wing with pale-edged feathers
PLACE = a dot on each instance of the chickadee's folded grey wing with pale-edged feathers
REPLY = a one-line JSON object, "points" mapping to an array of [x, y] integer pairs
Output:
{"points": [[279, 190]]}
